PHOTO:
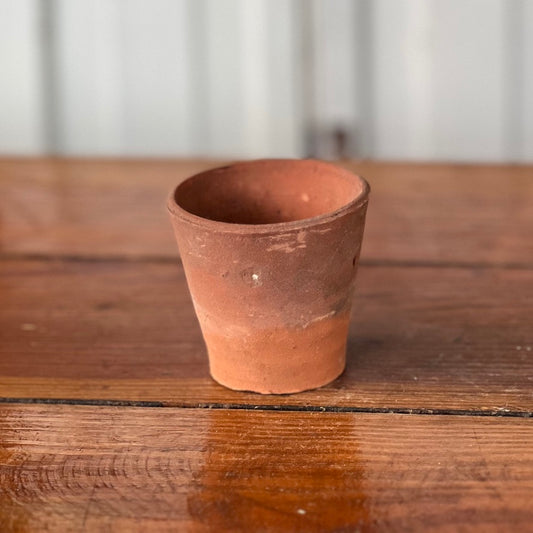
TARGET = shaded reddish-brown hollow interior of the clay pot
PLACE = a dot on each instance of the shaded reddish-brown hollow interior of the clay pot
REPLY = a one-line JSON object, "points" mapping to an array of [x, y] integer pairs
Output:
{"points": [[268, 191]]}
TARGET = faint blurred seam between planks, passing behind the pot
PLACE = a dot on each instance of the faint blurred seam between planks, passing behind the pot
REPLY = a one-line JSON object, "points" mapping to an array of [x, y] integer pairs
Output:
{"points": [[167, 259]]}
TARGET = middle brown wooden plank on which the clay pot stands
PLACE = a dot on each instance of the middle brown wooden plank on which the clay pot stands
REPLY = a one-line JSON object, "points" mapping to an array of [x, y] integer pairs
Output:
{"points": [[421, 338]]}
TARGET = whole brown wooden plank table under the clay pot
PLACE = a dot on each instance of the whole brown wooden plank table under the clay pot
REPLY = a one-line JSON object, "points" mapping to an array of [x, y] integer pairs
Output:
{"points": [[109, 420]]}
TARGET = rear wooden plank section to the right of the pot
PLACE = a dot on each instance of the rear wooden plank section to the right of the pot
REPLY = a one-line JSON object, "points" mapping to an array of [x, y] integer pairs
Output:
{"points": [[464, 214]]}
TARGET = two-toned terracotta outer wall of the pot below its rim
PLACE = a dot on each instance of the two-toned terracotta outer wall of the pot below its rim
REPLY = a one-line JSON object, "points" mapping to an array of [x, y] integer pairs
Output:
{"points": [[274, 308]]}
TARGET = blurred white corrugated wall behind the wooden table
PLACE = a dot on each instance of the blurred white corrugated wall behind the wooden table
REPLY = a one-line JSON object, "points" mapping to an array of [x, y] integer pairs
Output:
{"points": [[386, 79]]}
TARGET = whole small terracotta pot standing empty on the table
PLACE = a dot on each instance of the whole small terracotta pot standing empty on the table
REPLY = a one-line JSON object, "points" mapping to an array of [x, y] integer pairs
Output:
{"points": [[270, 250]]}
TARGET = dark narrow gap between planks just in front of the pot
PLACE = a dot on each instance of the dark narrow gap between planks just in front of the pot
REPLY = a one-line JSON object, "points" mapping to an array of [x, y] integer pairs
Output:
{"points": [[266, 407]]}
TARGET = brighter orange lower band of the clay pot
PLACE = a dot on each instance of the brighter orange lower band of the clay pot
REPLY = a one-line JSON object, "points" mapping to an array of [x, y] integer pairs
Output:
{"points": [[281, 360]]}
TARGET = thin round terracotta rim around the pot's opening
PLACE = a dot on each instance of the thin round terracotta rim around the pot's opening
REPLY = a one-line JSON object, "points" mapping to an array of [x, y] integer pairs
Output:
{"points": [[274, 227]]}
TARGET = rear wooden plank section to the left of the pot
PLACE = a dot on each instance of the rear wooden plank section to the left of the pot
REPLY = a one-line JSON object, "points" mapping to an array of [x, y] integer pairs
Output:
{"points": [[89, 207]]}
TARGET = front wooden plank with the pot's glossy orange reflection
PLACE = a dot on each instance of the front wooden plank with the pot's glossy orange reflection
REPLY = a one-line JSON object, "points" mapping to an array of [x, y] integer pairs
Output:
{"points": [[71, 468]]}
